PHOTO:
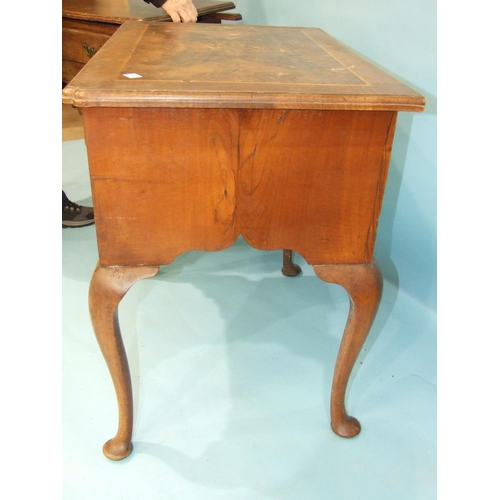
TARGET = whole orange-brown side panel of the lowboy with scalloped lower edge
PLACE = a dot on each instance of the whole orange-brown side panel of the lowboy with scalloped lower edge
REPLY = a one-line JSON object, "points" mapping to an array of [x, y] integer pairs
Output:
{"points": [[272, 176]]}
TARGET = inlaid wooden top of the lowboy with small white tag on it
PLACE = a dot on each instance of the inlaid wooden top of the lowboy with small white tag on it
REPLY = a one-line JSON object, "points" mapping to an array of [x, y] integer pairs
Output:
{"points": [[208, 66]]}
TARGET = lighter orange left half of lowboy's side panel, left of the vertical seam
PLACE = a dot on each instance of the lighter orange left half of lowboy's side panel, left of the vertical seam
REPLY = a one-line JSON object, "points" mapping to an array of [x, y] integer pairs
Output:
{"points": [[182, 184]]}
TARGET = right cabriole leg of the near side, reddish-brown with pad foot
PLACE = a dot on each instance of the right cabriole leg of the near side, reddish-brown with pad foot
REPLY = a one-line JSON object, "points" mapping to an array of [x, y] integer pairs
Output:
{"points": [[363, 283]]}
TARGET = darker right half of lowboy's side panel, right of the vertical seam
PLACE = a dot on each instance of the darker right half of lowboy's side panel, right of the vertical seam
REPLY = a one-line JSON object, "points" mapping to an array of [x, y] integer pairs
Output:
{"points": [[311, 181]]}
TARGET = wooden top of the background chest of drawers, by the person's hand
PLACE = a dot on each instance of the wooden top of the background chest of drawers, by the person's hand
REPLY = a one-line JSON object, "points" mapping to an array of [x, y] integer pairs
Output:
{"points": [[120, 11]]}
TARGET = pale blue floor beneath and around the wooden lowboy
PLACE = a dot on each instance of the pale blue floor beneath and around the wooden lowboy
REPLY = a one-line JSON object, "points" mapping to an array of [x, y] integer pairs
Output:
{"points": [[232, 366]]}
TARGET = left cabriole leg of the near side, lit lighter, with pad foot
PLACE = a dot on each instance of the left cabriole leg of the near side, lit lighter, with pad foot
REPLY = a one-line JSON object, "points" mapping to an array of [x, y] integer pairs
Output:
{"points": [[107, 288]]}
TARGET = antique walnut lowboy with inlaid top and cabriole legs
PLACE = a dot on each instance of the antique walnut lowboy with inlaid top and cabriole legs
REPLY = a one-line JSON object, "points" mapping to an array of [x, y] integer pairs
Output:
{"points": [[281, 135]]}
